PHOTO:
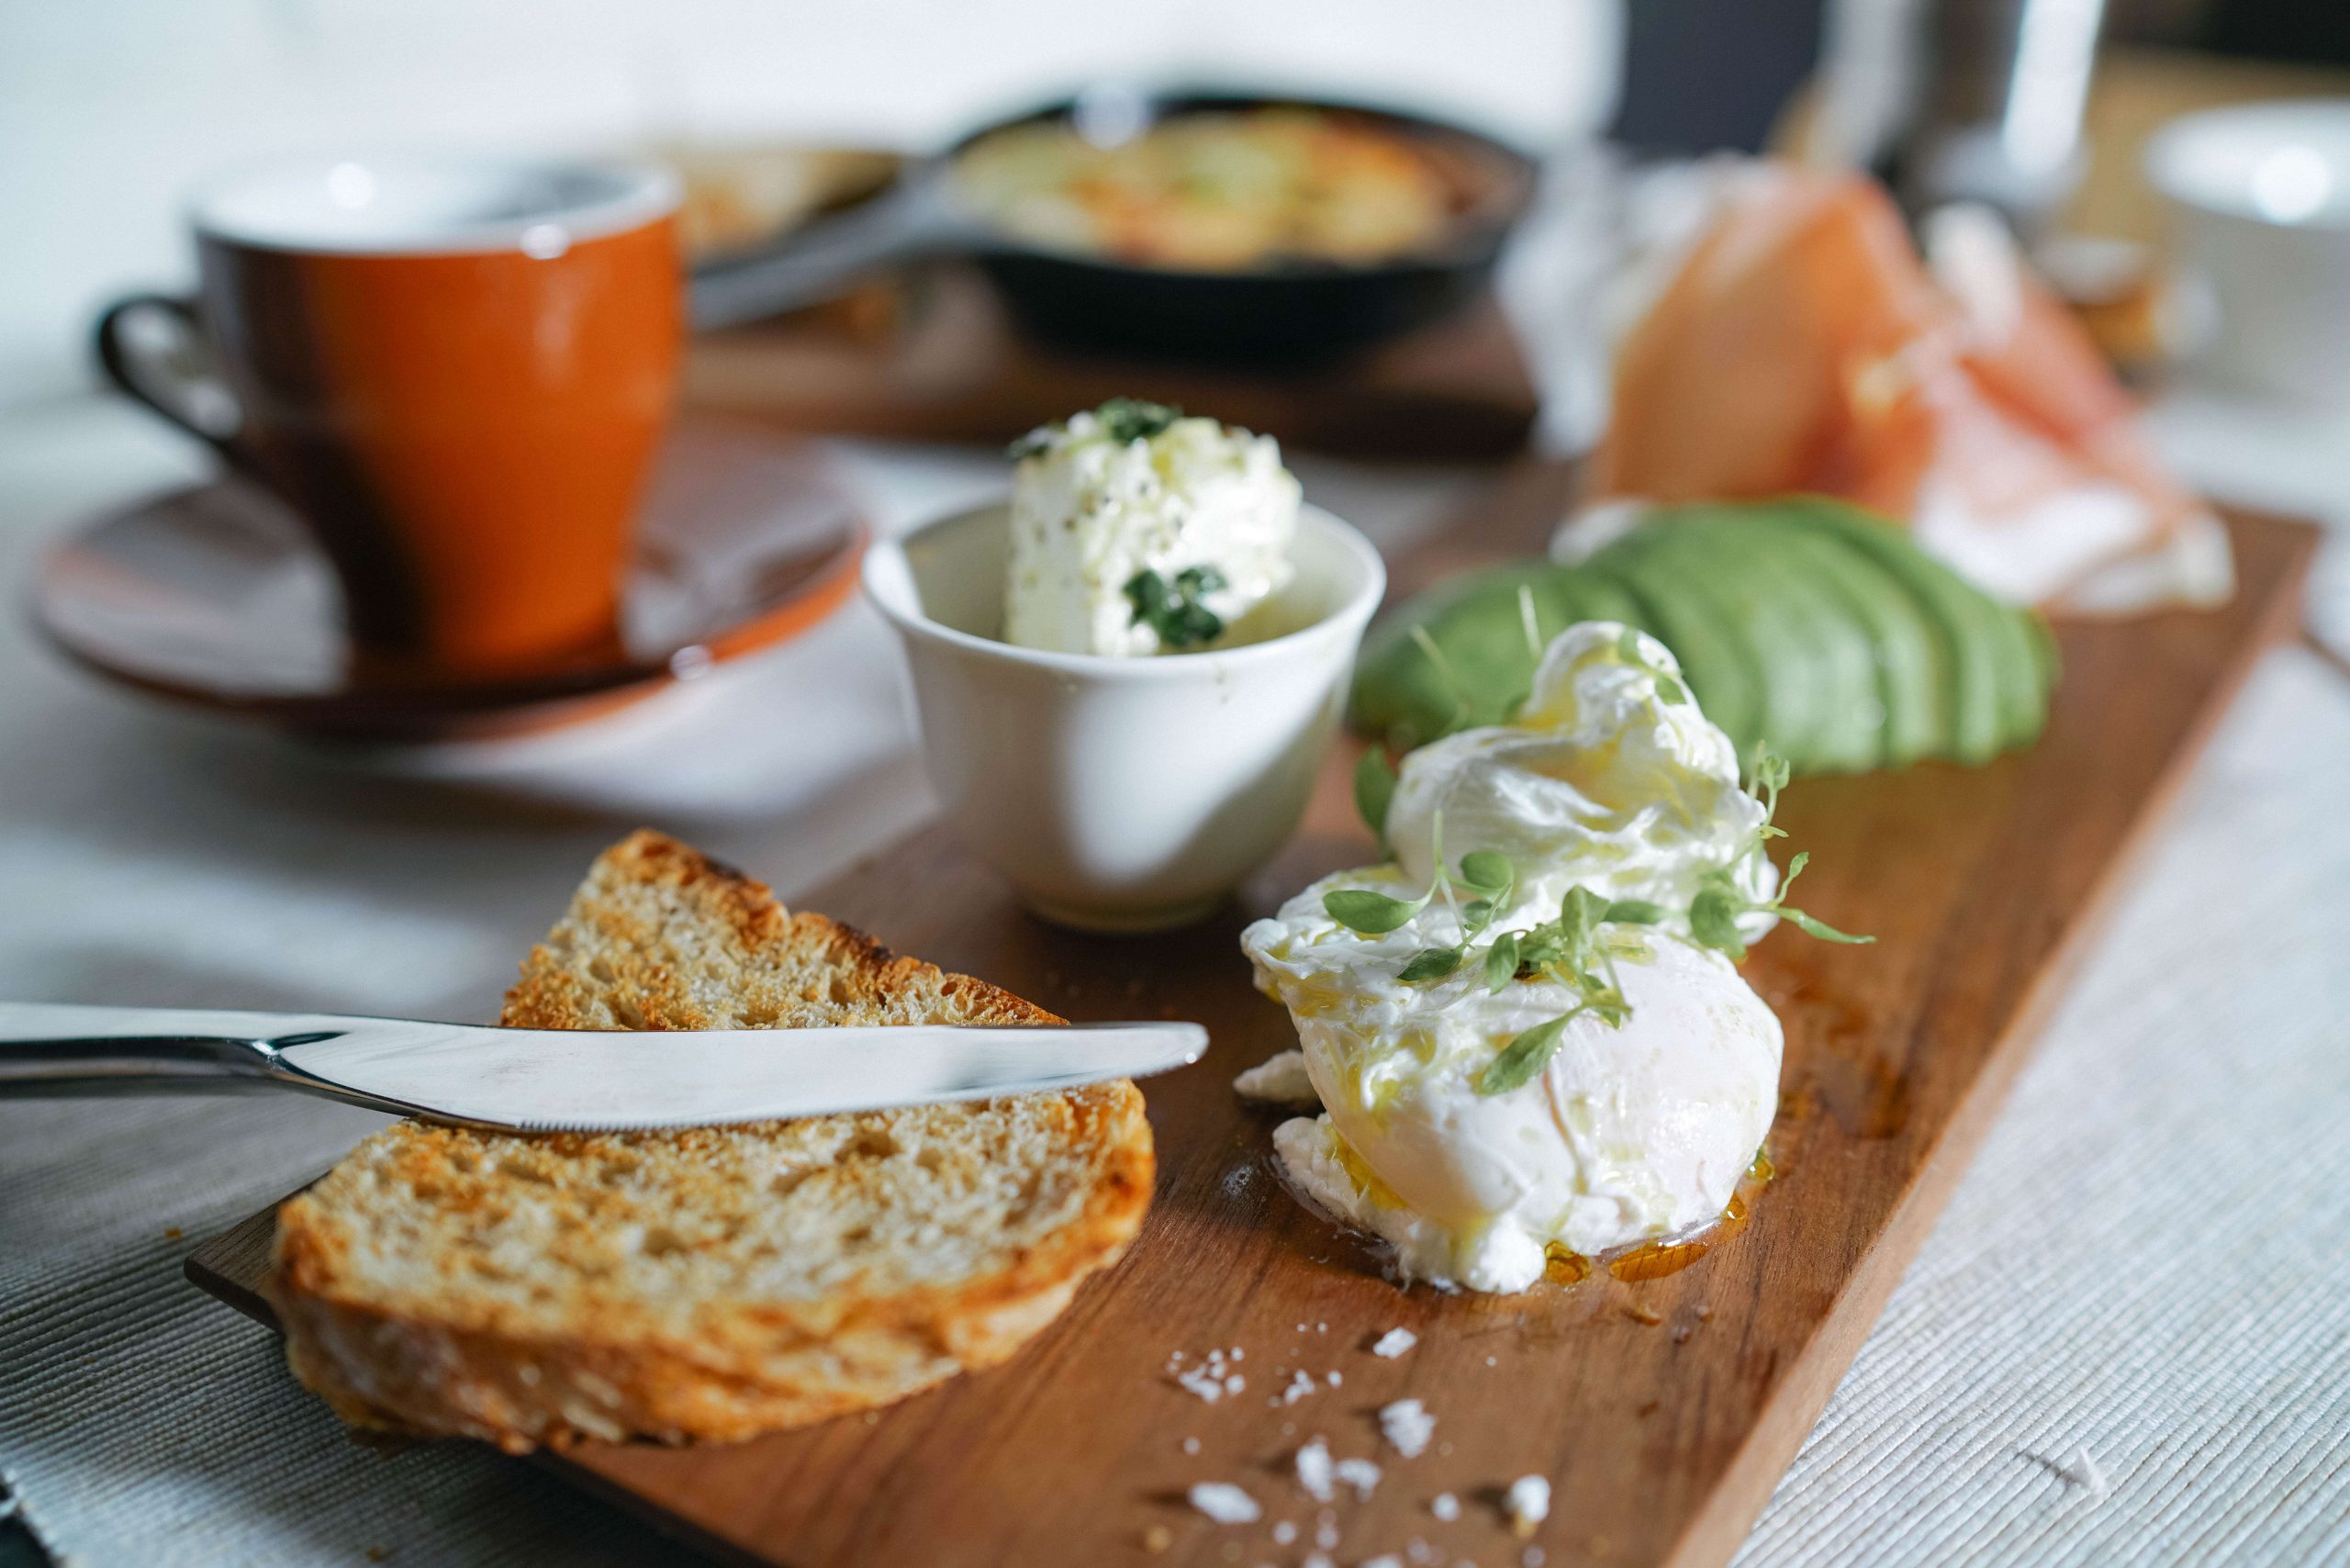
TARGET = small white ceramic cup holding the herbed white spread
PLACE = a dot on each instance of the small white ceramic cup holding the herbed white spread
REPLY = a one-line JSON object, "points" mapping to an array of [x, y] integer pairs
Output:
{"points": [[1120, 793]]}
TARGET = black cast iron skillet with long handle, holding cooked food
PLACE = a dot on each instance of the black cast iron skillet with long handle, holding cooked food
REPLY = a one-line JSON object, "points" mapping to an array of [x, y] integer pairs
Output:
{"points": [[1277, 314]]}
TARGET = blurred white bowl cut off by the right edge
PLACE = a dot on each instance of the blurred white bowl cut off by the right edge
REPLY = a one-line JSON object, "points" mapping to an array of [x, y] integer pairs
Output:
{"points": [[2262, 232]]}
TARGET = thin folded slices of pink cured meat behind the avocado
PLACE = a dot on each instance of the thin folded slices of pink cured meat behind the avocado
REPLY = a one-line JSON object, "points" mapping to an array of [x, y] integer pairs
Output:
{"points": [[1804, 344]]}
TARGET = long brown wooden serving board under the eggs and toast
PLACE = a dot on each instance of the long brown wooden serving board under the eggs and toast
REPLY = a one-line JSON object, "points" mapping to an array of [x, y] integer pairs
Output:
{"points": [[1660, 1407]]}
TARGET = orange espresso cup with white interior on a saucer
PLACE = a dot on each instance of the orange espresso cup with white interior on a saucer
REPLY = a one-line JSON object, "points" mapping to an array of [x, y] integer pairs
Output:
{"points": [[457, 373]]}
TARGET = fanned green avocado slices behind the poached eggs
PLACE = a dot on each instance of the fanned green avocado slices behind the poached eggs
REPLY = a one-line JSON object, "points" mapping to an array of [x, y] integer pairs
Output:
{"points": [[1806, 624]]}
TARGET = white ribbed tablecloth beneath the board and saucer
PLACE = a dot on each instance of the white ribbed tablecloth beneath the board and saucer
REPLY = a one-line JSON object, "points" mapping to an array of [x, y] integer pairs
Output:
{"points": [[2147, 1264]]}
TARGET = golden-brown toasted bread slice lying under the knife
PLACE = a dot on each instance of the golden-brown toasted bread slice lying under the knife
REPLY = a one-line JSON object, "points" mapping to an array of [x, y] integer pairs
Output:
{"points": [[711, 1282]]}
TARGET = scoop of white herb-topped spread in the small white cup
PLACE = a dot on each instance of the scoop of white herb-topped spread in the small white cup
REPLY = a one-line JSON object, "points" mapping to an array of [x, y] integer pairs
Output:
{"points": [[1094, 511]]}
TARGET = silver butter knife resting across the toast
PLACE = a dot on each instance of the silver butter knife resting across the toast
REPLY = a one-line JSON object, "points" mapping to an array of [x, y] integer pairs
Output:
{"points": [[568, 1080]]}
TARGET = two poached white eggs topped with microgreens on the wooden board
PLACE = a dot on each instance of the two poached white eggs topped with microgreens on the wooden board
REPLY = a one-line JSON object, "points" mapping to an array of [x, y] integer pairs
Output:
{"points": [[1627, 1134]]}
